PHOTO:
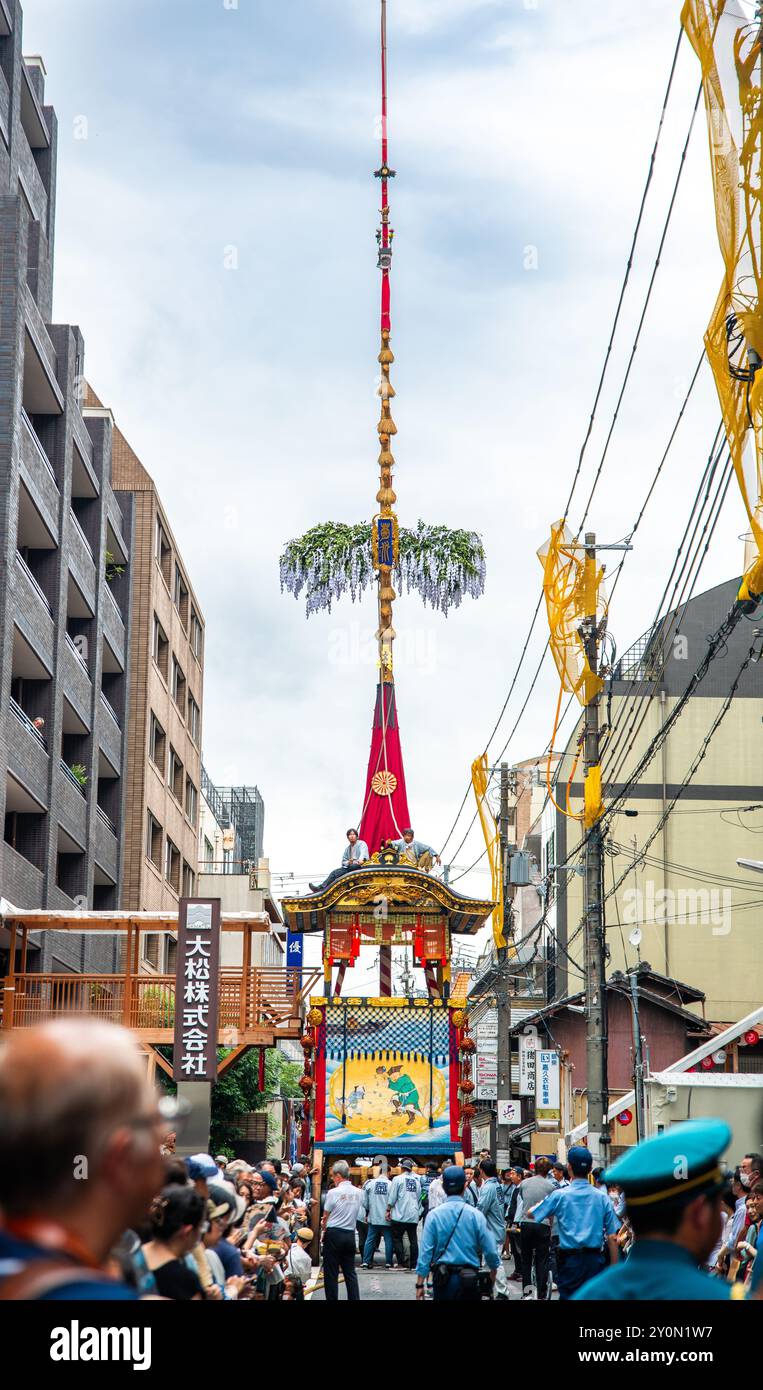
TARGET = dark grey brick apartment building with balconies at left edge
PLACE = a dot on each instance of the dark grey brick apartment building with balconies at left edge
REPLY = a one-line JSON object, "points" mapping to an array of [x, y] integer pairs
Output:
{"points": [[65, 559]]}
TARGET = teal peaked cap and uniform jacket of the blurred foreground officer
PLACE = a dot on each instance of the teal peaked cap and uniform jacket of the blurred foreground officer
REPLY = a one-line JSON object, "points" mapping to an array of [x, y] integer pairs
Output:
{"points": [[686, 1160]]}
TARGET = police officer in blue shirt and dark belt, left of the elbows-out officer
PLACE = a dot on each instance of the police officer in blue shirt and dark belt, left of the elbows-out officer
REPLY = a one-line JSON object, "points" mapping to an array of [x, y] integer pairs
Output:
{"points": [[455, 1242]]}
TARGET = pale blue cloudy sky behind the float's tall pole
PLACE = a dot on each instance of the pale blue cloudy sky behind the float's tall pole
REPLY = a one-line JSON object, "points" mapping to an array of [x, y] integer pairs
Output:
{"points": [[249, 394]]}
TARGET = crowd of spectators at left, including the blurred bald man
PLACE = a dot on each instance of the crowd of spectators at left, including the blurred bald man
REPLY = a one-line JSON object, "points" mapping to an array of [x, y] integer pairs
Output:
{"points": [[97, 1206]]}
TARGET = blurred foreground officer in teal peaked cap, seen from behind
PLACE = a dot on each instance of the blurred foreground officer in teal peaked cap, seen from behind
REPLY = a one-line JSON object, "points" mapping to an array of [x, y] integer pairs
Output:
{"points": [[673, 1197]]}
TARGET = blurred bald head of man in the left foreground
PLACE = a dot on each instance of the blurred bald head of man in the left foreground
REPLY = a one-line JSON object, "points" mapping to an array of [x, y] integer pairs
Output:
{"points": [[77, 1120]]}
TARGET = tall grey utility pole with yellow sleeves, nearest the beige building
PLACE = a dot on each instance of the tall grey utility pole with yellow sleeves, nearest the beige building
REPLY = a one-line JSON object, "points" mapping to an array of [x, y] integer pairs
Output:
{"points": [[596, 957]]}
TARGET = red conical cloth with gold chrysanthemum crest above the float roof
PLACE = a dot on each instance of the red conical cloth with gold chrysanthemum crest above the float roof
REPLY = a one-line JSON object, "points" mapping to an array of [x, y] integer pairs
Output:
{"points": [[386, 806]]}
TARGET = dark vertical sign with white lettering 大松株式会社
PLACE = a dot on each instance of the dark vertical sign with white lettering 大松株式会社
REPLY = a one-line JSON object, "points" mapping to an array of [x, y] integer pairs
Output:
{"points": [[197, 990]]}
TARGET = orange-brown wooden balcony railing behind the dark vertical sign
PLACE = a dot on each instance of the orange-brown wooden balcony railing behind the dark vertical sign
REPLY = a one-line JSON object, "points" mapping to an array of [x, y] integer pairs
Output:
{"points": [[262, 999]]}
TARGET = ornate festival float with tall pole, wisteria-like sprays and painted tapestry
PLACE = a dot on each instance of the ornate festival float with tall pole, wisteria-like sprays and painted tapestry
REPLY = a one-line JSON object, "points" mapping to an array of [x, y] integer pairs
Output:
{"points": [[387, 1075]]}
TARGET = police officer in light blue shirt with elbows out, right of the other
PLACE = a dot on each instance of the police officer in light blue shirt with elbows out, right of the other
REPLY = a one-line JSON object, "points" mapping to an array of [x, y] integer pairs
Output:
{"points": [[584, 1220]]}
